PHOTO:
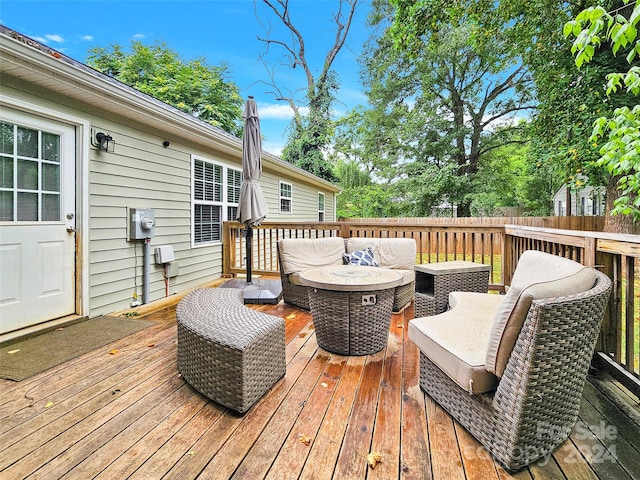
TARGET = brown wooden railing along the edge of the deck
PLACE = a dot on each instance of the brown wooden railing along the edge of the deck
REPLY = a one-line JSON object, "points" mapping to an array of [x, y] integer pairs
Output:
{"points": [[497, 245]]}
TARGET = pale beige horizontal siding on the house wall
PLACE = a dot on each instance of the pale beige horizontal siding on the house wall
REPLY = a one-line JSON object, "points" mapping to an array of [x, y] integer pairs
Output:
{"points": [[141, 173]]}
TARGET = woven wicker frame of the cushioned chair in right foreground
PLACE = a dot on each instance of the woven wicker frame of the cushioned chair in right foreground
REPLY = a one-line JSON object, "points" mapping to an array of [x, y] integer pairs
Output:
{"points": [[535, 406]]}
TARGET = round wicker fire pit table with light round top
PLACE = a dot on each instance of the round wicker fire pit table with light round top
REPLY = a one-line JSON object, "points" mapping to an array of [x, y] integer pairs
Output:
{"points": [[351, 307]]}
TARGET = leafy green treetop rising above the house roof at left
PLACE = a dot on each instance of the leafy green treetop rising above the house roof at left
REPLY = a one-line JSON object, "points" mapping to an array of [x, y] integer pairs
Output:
{"points": [[193, 87]]}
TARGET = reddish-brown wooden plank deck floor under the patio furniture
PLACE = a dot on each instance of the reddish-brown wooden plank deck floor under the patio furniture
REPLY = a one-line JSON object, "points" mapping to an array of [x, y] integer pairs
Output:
{"points": [[131, 415]]}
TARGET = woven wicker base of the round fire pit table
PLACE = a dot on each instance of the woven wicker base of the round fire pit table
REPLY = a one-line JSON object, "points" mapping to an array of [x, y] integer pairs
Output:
{"points": [[344, 326]]}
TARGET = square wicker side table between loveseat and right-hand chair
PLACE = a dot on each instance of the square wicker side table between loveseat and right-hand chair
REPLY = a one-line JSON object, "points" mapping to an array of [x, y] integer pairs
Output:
{"points": [[434, 282]]}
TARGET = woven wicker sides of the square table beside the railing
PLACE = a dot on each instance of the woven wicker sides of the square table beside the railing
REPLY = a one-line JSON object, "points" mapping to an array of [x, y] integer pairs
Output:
{"points": [[437, 301]]}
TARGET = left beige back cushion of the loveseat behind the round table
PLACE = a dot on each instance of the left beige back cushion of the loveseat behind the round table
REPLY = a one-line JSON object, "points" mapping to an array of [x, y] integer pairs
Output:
{"points": [[299, 254]]}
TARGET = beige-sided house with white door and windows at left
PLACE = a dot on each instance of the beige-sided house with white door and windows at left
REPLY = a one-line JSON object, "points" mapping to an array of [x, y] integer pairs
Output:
{"points": [[66, 204]]}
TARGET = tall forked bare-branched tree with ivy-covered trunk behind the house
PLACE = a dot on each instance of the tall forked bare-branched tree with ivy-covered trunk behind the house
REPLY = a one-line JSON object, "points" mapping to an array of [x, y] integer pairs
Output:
{"points": [[309, 134]]}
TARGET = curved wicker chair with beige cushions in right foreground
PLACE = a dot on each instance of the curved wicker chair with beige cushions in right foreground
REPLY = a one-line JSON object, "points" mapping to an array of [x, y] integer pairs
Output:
{"points": [[511, 369]]}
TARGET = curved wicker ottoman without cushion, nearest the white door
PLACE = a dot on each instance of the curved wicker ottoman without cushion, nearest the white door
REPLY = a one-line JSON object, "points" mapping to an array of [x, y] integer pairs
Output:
{"points": [[229, 352]]}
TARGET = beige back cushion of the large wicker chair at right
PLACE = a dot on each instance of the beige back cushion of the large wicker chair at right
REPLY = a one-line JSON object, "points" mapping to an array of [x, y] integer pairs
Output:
{"points": [[538, 275]]}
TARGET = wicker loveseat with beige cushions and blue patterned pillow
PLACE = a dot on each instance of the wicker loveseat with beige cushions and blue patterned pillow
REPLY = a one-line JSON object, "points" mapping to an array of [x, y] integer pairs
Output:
{"points": [[296, 255]]}
